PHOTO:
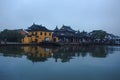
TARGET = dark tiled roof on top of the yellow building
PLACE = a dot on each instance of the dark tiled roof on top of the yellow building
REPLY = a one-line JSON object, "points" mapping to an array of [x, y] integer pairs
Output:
{"points": [[35, 27]]}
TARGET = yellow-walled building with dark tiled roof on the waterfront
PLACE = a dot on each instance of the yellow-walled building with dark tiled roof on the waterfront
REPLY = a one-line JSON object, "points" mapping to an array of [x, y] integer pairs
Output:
{"points": [[36, 34]]}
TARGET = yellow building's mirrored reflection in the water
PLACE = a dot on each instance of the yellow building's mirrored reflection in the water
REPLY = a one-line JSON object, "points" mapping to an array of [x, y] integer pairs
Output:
{"points": [[36, 53]]}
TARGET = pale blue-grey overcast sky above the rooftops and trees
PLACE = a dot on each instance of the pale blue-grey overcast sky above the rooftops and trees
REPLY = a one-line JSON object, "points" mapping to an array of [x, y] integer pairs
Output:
{"points": [[81, 15]]}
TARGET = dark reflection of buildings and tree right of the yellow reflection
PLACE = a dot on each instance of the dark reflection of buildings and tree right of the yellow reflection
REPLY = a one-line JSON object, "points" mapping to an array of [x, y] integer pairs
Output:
{"points": [[67, 53]]}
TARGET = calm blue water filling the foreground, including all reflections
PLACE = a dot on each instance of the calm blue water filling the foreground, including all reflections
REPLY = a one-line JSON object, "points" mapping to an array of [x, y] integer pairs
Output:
{"points": [[60, 63]]}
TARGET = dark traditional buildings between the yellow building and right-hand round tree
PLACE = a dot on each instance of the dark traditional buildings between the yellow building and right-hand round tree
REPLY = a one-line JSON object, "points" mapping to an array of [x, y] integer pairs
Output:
{"points": [[67, 35]]}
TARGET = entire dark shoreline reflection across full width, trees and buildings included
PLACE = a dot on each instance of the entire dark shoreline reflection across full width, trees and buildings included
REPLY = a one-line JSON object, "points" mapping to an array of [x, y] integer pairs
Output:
{"points": [[65, 53]]}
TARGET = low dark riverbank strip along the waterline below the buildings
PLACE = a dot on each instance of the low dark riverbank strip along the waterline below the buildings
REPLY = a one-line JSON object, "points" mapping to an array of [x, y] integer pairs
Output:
{"points": [[53, 44]]}
